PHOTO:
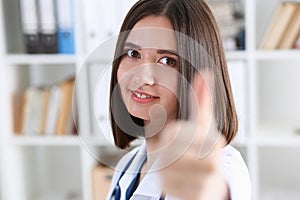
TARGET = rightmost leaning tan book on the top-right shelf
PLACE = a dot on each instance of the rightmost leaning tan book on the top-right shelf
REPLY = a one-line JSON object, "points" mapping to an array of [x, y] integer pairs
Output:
{"points": [[292, 32]]}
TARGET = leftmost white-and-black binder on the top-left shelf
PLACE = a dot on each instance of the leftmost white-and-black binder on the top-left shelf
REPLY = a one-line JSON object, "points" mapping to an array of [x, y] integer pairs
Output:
{"points": [[30, 26]]}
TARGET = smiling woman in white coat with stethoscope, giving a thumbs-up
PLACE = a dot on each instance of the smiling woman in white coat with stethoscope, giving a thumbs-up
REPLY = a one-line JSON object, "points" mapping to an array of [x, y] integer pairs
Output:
{"points": [[170, 85]]}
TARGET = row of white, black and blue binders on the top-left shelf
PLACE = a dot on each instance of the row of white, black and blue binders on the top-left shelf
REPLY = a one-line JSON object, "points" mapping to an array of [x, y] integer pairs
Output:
{"points": [[47, 26]]}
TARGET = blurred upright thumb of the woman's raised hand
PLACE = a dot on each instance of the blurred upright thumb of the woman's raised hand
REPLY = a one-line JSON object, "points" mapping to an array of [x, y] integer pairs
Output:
{"points": [[202, 114]]}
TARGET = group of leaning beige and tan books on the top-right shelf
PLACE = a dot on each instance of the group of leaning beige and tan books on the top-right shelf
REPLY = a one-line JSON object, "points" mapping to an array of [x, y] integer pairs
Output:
{"points": [[283, 31]]}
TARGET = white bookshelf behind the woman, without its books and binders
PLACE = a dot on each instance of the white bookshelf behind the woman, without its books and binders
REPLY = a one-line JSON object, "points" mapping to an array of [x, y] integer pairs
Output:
{"points": [[43, 167]]}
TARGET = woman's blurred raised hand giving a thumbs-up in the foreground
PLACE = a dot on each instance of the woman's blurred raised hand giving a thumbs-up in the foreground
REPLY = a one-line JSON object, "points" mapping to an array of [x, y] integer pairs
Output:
{"points": [[195, 149]]}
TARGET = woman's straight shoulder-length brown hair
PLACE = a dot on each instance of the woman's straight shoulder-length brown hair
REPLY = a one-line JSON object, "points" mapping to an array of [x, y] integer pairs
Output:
{"points": [[194, 19]]}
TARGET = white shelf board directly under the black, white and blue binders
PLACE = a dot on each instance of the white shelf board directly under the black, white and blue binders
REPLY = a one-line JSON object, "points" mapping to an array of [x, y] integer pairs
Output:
{"points": [[22, 59]]}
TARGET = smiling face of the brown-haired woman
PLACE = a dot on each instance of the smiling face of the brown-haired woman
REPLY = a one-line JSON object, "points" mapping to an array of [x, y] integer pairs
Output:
{"points": [[148, 70]]}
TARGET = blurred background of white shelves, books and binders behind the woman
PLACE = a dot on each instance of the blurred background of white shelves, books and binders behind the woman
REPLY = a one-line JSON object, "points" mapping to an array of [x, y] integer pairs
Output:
{"points": [[54, 94]]}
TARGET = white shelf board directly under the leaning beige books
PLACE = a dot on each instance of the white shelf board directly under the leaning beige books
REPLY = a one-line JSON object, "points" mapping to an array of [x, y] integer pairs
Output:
{"points": [[290, 54]]}
